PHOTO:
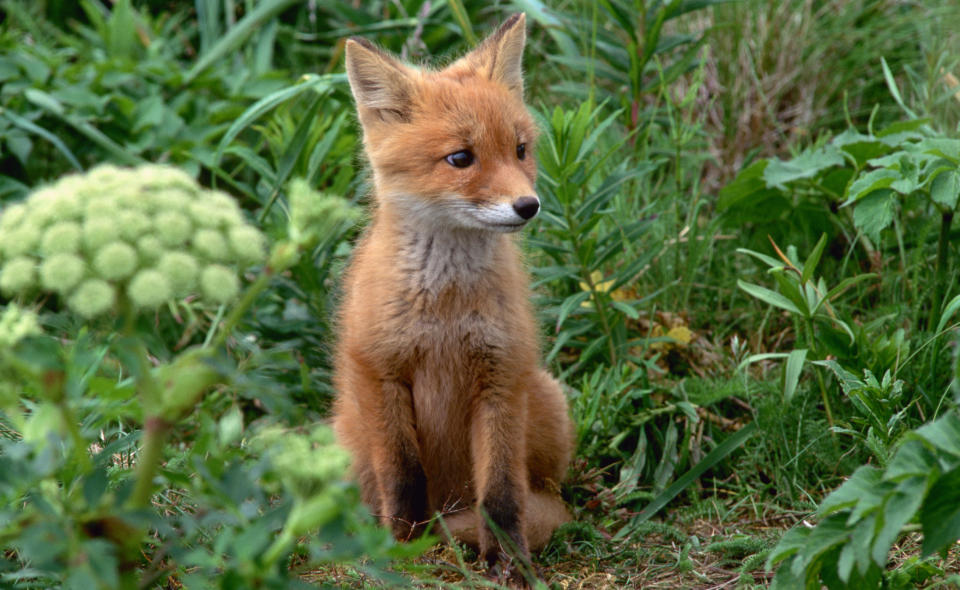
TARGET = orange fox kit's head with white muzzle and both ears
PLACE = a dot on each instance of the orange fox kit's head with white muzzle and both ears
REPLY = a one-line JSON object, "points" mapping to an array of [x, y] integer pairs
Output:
{"points": [[454, 146]]}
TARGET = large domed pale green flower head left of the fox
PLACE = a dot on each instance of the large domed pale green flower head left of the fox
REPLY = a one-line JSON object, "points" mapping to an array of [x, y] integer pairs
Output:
{"points": [[148, 234]]}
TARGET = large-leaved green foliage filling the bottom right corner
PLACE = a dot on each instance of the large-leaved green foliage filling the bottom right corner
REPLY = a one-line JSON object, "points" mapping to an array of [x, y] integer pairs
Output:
{"points": [[863, 518]]}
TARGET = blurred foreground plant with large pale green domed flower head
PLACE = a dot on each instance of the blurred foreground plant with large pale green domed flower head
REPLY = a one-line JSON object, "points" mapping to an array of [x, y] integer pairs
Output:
{"points": [[75, 489]]}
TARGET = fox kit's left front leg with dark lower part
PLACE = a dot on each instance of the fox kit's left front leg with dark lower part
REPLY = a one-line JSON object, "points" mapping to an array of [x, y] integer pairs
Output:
{"points": [[399, 473]]}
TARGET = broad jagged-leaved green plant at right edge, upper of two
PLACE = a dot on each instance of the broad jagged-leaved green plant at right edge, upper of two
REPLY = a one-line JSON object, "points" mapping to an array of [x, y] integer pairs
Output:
{"points": [[875, 179]]}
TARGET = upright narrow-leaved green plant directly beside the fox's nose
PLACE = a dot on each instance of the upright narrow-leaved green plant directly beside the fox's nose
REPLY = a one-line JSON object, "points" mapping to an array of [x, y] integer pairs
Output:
{"points": [[582, 240]]}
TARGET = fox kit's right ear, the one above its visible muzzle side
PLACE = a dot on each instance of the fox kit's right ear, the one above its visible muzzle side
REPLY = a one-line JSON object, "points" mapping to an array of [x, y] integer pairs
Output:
{"points": [[500, 55]]}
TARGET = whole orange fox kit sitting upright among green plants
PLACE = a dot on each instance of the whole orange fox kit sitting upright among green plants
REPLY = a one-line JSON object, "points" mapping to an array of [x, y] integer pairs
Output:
{"points": [[441, 397]]}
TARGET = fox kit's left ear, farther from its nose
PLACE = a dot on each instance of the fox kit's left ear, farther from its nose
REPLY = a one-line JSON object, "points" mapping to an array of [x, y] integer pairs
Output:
{"points": [[378, 81]]}
